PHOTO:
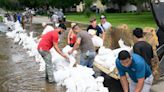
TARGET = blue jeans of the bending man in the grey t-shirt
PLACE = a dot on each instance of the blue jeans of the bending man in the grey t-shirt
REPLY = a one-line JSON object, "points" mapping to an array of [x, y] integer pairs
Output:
{"points": [[87, 59]]}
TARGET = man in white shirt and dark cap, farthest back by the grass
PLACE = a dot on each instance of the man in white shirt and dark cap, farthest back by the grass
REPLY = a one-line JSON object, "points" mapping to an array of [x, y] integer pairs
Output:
{"points": [[104, 25]]}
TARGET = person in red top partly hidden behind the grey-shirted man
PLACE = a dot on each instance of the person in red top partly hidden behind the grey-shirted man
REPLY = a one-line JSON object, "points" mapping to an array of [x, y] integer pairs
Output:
{"points": [[71, 36]]}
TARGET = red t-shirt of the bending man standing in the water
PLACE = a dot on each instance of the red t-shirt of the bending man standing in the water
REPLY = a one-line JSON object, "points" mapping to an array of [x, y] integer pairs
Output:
{"points": [[46, 43]]}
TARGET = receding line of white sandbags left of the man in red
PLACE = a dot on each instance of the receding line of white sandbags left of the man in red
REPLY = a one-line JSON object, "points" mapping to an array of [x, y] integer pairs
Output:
{"points": [[20, 36]]}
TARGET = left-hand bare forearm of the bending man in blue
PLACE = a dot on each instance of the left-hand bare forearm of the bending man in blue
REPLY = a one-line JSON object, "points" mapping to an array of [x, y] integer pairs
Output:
{"points": [[124, 83]]}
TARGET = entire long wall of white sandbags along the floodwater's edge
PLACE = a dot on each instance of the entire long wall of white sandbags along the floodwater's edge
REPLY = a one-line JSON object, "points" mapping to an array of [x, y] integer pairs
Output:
{"points": [[76, 79]]}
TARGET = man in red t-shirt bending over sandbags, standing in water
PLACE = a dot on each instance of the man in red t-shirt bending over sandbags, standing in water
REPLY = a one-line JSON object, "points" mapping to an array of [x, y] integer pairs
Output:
{"points": [[48, 41]]}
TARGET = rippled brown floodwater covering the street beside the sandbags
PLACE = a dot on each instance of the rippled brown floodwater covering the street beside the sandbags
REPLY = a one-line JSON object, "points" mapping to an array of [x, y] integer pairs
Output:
{"points": [[18, 72]]}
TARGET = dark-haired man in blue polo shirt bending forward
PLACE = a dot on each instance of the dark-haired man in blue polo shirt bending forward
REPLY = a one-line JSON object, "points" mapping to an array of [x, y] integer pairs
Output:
{"points": [[140, 74]]}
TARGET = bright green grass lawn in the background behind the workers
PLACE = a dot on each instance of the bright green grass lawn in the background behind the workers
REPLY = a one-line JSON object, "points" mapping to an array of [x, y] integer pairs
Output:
{"points": [[131, 19]]}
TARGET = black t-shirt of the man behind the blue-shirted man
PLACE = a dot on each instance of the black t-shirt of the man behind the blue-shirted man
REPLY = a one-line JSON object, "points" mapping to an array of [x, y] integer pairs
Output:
{"points": [[145, 50]]}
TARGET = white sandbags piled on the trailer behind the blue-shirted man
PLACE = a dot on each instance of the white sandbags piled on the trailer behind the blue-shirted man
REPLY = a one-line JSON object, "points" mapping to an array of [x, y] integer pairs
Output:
{"points": [[107, 57]]}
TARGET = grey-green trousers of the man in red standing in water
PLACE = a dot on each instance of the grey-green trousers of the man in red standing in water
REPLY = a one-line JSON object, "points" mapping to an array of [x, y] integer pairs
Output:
{"points": [[49, 66]]}
